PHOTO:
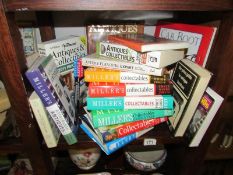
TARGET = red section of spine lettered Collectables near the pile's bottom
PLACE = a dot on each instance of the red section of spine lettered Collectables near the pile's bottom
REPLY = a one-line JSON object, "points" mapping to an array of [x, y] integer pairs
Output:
{"points": [[138, 126]]}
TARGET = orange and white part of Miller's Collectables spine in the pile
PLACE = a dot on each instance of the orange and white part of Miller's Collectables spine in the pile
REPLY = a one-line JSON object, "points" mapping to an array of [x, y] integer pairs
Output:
{"points": [[115, 77]]}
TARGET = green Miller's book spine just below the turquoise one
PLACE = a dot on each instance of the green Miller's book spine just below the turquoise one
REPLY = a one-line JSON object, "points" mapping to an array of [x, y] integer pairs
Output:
{"points": [[111, 117]]}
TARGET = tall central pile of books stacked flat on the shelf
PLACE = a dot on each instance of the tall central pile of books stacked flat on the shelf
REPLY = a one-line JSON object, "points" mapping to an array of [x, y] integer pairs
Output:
{"points": [[129, 90]]}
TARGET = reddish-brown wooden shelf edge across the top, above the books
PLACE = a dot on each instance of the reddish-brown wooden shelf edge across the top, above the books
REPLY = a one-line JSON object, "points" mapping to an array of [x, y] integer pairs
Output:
{"points": [[198, 5]]}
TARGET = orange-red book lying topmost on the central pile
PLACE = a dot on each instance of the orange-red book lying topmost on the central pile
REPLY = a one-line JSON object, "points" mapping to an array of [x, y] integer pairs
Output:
{"points": [[147, 43]]}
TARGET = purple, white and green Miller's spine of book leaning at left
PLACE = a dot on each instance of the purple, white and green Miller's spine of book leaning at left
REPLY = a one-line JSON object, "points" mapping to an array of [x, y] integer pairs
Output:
{"points": [[52, 105]]}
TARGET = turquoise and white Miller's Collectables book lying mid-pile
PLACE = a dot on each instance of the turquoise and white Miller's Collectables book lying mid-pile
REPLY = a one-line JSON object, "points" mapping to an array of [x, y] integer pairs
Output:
{"points": [[135, 102]]}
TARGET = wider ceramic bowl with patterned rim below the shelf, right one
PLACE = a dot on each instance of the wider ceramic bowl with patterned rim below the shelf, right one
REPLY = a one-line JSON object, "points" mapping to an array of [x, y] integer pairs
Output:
{"points": [[146, 160]]}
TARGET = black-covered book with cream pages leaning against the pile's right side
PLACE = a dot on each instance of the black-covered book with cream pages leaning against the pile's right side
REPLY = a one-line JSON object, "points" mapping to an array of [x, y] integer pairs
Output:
{"points": [[189, 83]]}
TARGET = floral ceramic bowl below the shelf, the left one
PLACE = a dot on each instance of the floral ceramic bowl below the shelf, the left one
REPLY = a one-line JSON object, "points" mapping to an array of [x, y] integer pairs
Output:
{"points": [[85, 159]]}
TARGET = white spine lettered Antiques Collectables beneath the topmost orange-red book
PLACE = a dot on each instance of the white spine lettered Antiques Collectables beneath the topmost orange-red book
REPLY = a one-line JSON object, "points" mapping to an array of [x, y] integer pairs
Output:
{"points": [[120, 52]]}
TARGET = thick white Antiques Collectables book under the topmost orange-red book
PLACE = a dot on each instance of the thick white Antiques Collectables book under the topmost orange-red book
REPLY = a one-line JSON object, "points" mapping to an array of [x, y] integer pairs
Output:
{"points": [[156, 59]]}
